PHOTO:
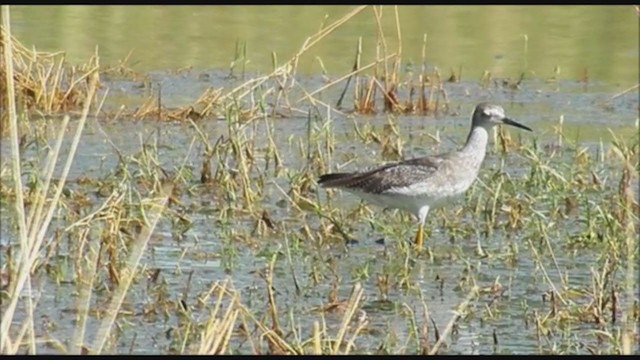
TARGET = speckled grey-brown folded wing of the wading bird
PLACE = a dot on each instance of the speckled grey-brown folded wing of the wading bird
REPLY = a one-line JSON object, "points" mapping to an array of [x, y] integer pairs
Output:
{"points": [[389, 176]]}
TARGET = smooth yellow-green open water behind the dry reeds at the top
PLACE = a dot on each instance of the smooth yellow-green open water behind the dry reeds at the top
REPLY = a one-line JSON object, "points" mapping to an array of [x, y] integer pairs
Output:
{"points": [[601, 39]]}
